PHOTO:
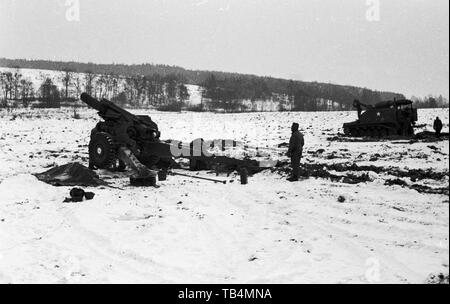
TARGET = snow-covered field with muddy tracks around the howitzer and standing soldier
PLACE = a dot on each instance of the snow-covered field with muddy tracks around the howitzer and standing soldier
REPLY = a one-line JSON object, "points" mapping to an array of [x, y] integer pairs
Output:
{"points": [[191, 231]]}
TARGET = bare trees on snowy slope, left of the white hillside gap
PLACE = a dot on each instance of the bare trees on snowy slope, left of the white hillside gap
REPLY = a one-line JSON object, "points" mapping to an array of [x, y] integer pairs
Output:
{"points": [[65, 88]]}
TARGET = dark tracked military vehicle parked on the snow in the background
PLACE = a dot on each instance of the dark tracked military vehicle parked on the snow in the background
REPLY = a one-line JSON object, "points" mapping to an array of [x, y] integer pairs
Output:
{"points": [[383, 119]]}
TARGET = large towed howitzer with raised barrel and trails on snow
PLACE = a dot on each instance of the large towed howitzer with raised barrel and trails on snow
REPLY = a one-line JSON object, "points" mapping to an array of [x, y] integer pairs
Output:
{"points": [[123, 138]]}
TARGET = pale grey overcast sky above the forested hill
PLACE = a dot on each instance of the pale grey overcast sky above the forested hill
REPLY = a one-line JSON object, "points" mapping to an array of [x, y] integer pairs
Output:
{"points": [[406, 51]]}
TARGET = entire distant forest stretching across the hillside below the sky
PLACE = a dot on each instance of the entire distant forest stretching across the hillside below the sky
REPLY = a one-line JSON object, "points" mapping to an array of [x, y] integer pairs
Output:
{"points": [[164, 87]]}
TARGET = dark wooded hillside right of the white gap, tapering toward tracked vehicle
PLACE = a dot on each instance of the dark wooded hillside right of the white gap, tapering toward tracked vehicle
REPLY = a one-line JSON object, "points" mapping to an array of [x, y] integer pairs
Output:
{"points": [[229, 92]]}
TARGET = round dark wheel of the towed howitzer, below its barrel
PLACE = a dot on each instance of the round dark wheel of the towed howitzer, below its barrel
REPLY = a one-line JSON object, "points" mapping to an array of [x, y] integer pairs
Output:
{"points": [[102, 152]]}
